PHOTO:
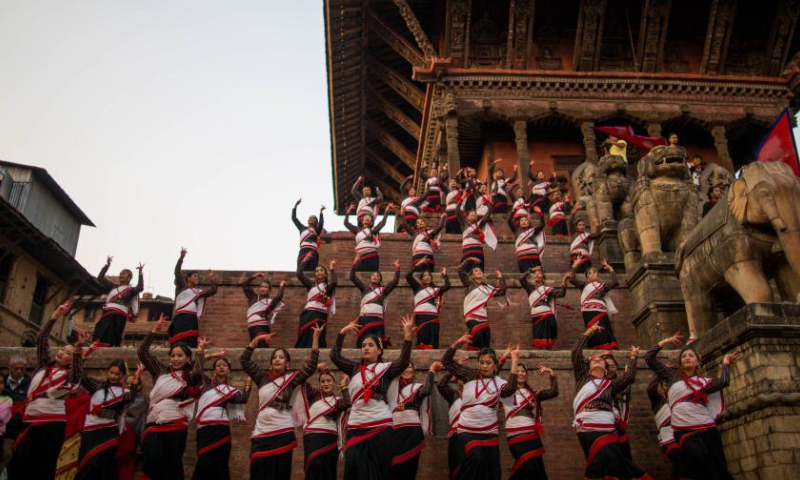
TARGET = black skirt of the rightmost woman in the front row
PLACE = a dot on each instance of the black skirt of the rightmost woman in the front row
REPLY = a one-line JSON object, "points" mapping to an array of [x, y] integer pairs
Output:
{"points": [[702, 455]]}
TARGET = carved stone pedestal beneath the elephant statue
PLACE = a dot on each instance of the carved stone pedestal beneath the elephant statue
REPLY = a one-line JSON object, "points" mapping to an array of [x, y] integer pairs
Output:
{"points": [[761, 426]]}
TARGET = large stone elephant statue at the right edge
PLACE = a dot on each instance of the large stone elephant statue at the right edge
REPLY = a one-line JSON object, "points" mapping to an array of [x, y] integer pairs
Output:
{"points": [[752, 236]]}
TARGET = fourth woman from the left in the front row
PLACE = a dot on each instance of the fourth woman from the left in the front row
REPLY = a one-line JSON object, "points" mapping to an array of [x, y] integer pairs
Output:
{"points": [[219, 404]]}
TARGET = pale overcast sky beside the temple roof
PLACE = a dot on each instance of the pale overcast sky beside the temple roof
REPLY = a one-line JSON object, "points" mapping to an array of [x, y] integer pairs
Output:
{"points": [[172, 123]]}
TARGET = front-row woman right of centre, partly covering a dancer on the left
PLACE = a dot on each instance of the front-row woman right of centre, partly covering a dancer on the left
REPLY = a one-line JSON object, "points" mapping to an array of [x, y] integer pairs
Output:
{"points": [[481, 397]]}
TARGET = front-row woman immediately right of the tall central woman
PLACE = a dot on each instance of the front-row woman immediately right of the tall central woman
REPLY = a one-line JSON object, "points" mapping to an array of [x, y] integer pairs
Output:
{"points": [[411, 417]]}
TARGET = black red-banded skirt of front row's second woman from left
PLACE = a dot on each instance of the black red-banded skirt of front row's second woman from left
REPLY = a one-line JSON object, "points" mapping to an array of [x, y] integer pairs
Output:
{"points": [[98, 454]]}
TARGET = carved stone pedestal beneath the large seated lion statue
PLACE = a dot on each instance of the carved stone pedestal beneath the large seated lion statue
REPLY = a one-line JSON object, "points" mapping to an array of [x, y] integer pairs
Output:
{"points": [[658, 307]]}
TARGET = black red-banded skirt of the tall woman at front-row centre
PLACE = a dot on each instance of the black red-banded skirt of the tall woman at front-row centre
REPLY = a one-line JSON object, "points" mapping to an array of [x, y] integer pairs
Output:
{"points": [[368, 454]]}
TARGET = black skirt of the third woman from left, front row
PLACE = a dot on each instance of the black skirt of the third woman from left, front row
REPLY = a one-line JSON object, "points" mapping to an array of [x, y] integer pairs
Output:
{"points": [[162, 451]]}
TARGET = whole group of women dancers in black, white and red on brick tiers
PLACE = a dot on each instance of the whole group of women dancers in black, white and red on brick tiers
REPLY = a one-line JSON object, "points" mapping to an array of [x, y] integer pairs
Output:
{"points": [[376, 414]]}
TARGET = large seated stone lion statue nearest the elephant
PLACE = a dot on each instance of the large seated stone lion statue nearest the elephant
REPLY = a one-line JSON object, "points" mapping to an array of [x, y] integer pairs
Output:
{"points": [[664, 203]]}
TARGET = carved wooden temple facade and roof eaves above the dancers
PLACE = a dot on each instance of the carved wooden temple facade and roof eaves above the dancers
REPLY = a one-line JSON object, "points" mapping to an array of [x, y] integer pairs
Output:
{"points": [[465, 82]]}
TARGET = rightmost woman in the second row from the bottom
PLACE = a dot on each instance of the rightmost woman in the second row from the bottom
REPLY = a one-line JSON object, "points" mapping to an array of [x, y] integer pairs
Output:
{"points": [[596, 306]]}
